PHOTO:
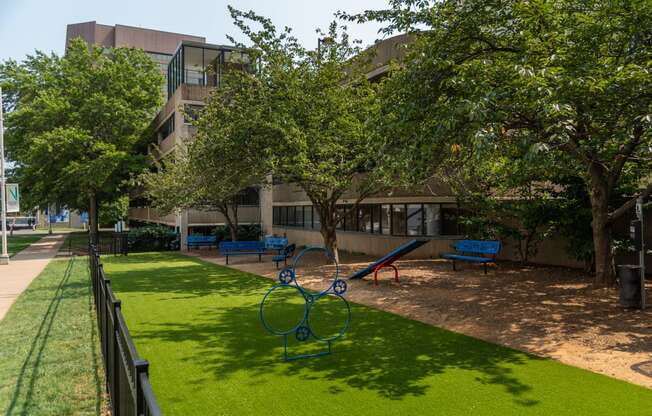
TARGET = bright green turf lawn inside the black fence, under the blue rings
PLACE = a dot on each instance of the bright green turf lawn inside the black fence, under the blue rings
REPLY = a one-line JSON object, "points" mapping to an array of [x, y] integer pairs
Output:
{"points": [[198, 325]]}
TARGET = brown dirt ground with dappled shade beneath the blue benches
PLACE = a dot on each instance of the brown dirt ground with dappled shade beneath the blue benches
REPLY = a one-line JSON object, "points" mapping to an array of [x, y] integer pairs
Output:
{"points": [[550, 312]]}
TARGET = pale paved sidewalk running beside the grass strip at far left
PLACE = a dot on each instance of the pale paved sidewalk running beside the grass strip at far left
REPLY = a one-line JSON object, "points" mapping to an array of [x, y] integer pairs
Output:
{"points": [[24, 267]]}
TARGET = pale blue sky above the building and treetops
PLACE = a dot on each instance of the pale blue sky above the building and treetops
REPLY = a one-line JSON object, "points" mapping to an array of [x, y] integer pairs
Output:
{"points": [[26, 25]]}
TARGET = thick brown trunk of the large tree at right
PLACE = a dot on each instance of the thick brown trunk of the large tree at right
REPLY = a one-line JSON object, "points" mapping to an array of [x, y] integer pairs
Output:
{"points": [[602, 238]]}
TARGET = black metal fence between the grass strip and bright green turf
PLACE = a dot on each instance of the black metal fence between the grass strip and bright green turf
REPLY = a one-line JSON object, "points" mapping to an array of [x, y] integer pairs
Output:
{"points": [[127, 379]]}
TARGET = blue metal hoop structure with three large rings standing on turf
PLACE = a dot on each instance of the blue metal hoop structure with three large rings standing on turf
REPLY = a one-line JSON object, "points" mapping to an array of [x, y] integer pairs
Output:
{"points": [[303, 330]]}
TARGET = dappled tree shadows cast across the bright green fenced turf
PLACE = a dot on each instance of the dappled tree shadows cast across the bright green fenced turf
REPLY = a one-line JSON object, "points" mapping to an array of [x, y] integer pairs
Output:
{"points": [[382, 352]]}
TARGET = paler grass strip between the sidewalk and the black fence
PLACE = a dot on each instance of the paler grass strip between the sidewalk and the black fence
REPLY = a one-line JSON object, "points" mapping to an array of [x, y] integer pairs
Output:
{"points": [[50, 363]]}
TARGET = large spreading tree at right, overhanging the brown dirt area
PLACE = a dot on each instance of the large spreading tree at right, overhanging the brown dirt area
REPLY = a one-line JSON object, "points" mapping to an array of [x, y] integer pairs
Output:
{"points": [[568, 77]]}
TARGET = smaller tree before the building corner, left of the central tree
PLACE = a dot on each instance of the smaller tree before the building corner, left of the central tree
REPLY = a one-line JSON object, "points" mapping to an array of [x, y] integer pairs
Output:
{"points": [[211, 169]]}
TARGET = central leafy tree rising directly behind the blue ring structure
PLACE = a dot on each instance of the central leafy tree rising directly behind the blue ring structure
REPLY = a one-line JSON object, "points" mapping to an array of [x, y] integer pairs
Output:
{"points": [[316, 107]]}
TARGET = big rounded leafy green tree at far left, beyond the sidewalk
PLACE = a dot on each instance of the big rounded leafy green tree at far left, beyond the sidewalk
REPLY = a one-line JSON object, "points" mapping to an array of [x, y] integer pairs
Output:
{"points": [[75, 124]]}
